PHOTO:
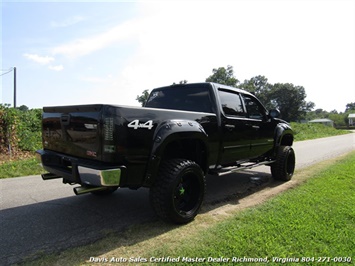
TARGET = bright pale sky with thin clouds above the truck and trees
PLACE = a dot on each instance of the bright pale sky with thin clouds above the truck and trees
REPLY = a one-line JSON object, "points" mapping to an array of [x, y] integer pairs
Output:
{"points": [[72, 52]]}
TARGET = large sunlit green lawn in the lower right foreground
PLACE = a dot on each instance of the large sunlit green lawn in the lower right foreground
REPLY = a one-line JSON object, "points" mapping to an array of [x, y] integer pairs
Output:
{"points": [[314, 220]]}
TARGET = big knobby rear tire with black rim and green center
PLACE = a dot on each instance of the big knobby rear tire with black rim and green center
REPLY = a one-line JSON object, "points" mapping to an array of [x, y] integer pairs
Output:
{"points": [[178, 191]]}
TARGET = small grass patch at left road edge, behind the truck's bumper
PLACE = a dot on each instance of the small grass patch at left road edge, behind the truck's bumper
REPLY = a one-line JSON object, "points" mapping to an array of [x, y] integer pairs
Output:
{"points": [[20, 168]]}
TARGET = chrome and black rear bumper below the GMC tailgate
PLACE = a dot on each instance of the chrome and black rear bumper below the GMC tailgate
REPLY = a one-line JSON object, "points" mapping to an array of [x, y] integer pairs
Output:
{"points": [[80, 171]]}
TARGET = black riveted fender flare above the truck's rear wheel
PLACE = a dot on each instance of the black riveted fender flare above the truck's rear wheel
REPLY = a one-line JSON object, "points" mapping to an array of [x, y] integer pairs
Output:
{"points": [[166, 133]]}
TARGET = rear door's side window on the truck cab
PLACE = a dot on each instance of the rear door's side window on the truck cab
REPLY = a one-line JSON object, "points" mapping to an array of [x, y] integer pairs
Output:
{"points": [[231, 103]]}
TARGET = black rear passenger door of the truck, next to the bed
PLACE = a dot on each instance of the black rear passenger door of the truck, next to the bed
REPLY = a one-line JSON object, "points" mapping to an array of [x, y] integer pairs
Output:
{"points": [[236, 137]]}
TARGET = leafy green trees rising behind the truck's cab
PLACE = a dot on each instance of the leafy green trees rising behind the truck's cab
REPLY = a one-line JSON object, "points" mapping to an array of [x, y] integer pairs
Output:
{"points": [[288, 98]]}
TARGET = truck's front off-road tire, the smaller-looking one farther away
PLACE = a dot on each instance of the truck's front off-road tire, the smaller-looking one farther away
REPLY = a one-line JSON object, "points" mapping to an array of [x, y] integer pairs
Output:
{"points": [[284, 166]]}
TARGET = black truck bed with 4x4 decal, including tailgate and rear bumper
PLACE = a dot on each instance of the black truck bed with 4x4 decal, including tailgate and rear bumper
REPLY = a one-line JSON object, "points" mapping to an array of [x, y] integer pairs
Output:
{"points": [[105, 137]]}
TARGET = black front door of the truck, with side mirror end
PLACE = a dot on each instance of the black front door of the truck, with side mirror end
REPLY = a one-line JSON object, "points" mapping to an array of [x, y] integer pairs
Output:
{"points": [[260, 126]]}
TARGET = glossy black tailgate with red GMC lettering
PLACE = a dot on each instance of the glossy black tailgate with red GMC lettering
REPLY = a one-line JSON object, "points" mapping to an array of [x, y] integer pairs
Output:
{"points": [[73, 130]]}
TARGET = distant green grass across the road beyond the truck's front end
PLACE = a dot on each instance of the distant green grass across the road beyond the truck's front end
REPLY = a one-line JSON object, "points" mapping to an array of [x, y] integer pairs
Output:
{"points": [[314, 131]]}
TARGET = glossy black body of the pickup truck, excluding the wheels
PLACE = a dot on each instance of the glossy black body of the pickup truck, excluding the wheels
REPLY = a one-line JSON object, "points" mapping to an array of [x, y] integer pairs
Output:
{"points": [[191, 121]]}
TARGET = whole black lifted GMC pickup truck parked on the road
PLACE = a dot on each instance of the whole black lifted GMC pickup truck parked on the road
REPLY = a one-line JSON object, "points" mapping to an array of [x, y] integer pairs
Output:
{"points": [[183, 133]]}
